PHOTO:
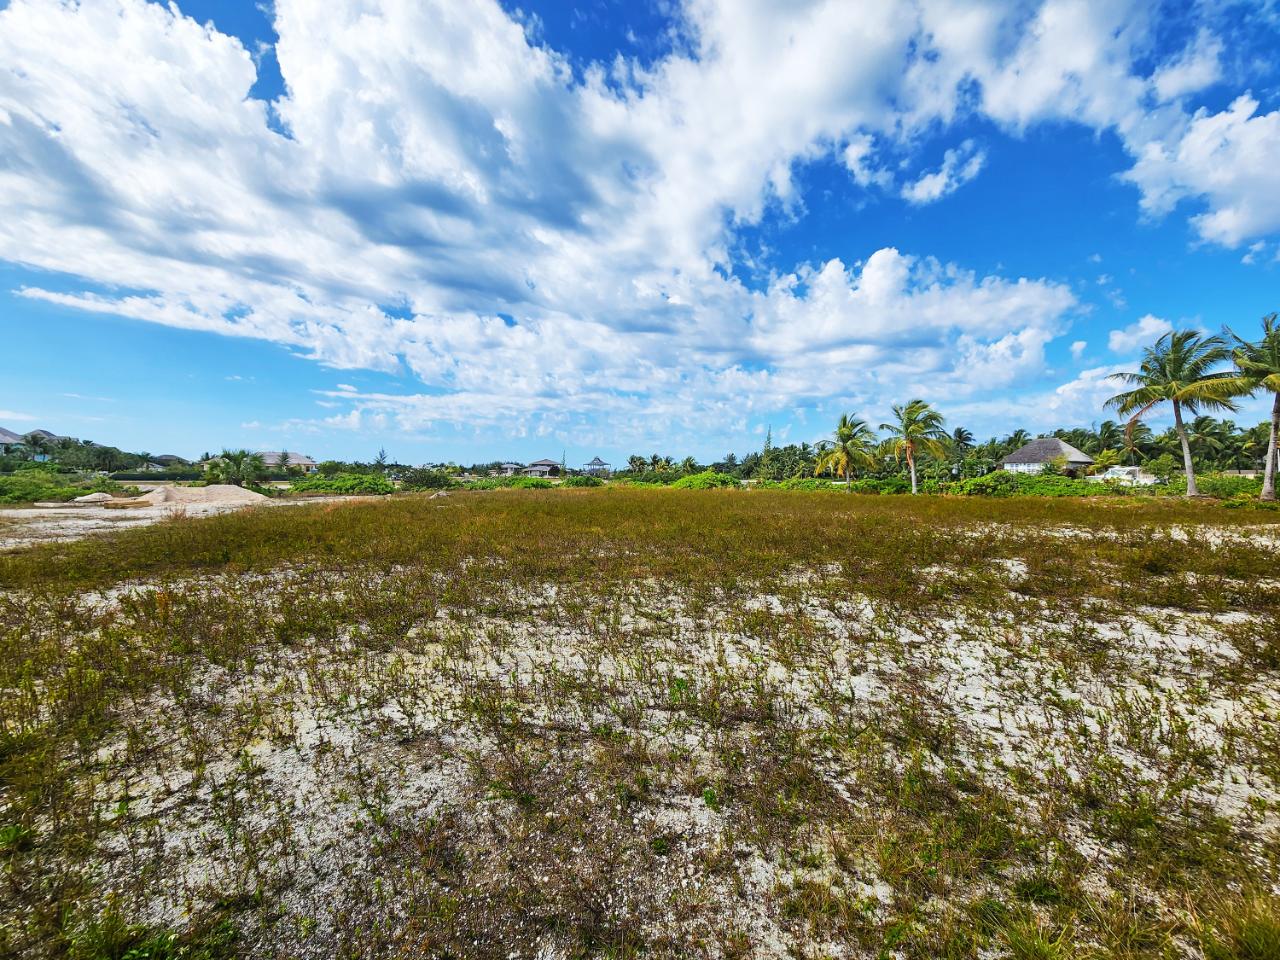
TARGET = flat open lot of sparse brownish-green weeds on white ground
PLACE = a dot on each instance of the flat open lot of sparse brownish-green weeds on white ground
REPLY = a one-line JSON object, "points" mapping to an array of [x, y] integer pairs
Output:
{"points": [[665, 724]]}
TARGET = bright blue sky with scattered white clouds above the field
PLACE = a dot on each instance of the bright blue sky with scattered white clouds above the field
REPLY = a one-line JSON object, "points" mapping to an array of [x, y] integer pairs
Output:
{"points": [[478, 232]]}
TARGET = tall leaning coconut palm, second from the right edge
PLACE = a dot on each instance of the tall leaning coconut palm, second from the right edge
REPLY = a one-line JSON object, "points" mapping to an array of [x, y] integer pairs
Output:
{"points": [[1178, 369]]}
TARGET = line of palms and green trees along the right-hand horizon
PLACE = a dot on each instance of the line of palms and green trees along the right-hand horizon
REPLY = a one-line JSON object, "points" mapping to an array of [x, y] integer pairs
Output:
{"points": [[1192, 373]]}
